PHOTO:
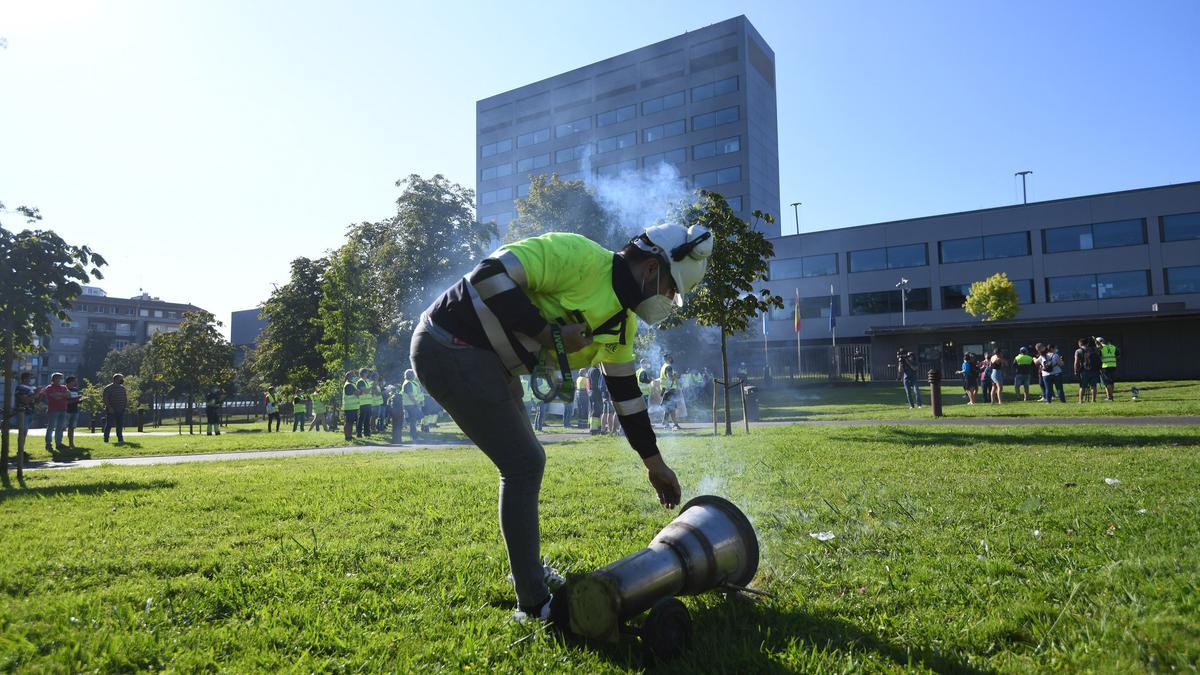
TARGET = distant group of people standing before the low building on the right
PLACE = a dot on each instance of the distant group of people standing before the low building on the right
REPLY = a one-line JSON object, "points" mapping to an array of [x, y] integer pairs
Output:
{"points": [[1095, 365]]}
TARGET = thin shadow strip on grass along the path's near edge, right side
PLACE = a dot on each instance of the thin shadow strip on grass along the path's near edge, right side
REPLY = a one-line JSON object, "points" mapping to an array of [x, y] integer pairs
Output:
{"points": [[962, 438]]}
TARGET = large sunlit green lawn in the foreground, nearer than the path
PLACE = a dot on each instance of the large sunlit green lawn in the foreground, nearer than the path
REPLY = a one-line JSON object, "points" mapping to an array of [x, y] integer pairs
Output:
{"points": [[956, 549]]}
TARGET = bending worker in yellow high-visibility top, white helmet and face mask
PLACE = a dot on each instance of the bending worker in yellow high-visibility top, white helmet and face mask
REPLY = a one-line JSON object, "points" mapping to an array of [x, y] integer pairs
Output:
{"points": [[533, 306]]}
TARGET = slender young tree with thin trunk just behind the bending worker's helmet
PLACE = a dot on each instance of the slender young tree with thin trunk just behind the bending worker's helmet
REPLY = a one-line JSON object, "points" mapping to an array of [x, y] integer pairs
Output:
{"points": [[727, 297]]}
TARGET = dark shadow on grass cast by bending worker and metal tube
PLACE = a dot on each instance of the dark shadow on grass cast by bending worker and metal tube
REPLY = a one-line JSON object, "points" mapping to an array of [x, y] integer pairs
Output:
{"points": [[749, 637]]}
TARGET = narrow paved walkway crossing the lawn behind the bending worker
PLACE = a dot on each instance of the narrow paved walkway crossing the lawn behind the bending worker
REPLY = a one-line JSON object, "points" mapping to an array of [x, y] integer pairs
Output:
{"points": [[580, 435]]}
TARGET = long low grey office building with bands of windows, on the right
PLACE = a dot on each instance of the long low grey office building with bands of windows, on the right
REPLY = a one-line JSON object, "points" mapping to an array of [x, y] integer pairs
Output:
{"points": [[1124, 266]]}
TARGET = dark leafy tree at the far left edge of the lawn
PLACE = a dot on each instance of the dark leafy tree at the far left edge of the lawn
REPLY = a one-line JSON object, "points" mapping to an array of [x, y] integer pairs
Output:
{"points": [[40, 278]]}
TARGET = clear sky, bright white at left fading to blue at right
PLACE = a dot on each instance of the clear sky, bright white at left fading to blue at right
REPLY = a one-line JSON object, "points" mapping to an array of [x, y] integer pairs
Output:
{"points": [[201, 146]]}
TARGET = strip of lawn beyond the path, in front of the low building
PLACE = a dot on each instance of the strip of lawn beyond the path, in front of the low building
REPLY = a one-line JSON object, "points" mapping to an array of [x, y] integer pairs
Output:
{"points": [[875, 402]]}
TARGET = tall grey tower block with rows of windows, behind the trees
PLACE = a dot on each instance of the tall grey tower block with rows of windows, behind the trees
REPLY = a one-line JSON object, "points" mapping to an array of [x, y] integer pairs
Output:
{"points": [[704, 103]]}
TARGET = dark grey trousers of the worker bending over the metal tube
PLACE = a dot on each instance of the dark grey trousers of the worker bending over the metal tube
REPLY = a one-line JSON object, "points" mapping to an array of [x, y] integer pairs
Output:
{"points": [[487, 403]]}
